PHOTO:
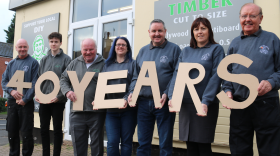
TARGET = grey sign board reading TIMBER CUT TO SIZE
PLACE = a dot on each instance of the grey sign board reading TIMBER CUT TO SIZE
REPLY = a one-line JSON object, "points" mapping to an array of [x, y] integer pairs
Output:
{"points": [[179, 15]]}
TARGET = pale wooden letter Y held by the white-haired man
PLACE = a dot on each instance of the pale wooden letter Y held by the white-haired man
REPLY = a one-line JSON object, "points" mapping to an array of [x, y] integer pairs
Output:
{"points": [[79, 88]]}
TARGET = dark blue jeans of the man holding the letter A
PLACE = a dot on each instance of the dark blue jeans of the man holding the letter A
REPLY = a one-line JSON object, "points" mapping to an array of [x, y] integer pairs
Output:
{"points": [[147, 114]]}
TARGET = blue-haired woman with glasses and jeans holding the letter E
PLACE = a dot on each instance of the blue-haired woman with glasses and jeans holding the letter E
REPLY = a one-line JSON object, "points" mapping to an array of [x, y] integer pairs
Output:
{"points": [[120, 123]]}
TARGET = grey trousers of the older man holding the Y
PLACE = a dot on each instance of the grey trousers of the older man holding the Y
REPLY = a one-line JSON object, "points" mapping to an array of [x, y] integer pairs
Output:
{"points": [[83, 124]]}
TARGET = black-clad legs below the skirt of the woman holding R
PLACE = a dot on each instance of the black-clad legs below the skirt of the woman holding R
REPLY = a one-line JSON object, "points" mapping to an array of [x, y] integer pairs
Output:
{"points": [[198, 149]]}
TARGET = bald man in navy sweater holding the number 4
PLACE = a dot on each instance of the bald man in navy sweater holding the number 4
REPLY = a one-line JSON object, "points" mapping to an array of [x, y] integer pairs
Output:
{"points": [[21, 106]]}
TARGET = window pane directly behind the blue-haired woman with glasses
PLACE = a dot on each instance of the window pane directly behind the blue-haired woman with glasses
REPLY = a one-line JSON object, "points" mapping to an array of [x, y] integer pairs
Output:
{"points": [[110, 32]]}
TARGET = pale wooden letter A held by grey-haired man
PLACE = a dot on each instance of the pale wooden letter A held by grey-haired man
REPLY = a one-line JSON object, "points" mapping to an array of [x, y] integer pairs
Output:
{"points": [[152, 81]]}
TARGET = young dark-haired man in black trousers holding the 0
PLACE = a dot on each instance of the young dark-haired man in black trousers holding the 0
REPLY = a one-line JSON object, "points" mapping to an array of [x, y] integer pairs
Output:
{"points": [[57, 62]]}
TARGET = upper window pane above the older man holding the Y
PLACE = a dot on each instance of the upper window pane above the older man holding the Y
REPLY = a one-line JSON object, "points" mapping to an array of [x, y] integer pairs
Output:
{"points": [[85, 9]]}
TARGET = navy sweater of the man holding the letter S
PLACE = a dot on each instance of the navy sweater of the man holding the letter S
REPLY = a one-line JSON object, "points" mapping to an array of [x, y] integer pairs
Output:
{"points": [[263, 48]]}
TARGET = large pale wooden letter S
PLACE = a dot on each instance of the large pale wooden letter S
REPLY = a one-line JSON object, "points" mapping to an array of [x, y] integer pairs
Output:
{"points": [[247, 80]]}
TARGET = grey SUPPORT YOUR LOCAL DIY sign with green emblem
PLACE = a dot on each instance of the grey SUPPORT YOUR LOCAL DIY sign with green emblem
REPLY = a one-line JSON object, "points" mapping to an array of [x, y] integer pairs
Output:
{"points": [[36, 33]]}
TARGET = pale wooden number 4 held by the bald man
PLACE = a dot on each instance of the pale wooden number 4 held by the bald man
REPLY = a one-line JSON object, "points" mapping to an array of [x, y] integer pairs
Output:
{"points": [[17, 81]]}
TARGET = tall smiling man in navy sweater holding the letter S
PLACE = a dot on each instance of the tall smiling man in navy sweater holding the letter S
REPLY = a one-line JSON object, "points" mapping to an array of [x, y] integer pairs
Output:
{"points": [[263, 115]]}
